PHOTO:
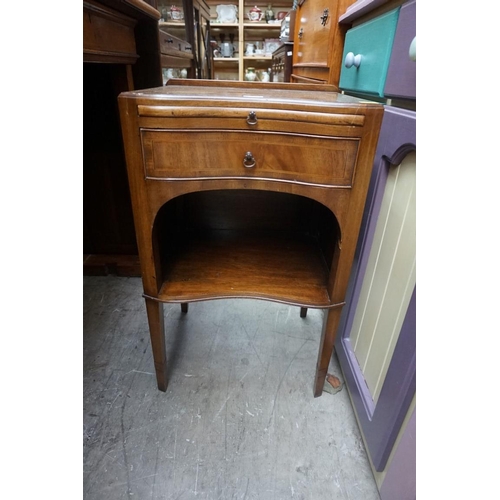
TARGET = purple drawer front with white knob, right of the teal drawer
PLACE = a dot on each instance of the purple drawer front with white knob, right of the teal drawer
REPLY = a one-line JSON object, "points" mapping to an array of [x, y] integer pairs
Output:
{"points": [[402, 72]]}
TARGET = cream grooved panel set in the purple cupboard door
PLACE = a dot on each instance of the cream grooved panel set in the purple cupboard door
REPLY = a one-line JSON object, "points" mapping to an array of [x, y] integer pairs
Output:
{"points": [[389, 279]]}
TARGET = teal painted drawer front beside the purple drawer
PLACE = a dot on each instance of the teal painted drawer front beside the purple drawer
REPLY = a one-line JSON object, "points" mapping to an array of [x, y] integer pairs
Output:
{"points": [[373, 41]]}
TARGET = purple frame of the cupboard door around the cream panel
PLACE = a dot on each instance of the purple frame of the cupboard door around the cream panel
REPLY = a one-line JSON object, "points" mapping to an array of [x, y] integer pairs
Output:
{"points": [[381, 423]]}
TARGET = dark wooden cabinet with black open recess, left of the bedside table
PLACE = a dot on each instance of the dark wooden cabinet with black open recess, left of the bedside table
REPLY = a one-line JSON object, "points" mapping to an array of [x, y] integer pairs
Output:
{"points": [[120, 52]]}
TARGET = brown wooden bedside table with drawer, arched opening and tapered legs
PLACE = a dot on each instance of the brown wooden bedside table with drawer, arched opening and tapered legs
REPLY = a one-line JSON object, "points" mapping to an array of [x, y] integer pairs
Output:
{"points": [[249, 190]]}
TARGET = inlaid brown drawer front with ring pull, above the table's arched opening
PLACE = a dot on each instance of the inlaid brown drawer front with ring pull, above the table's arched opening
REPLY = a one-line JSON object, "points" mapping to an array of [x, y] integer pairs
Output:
{"points": [[184, 154]]}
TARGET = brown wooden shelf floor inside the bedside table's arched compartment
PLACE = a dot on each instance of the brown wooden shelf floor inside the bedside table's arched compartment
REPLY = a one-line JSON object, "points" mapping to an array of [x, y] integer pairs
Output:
{"points": [[229, 264]]}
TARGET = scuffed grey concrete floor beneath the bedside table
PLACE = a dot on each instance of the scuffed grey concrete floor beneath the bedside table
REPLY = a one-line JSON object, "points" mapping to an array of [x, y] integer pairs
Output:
{"points": [[238, 420]]}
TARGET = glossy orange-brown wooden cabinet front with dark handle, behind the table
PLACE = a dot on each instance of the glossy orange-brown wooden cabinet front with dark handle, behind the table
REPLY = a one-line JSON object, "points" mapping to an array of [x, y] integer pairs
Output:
{"points": [[312, 45]]}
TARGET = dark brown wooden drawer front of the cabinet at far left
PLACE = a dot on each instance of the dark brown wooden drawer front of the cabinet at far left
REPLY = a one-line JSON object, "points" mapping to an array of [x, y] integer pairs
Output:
{"points": [[107, 34]]}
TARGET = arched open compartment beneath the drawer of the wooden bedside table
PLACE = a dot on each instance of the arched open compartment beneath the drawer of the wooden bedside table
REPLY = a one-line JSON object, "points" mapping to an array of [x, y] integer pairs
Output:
{"points": [[248, 244]]}
